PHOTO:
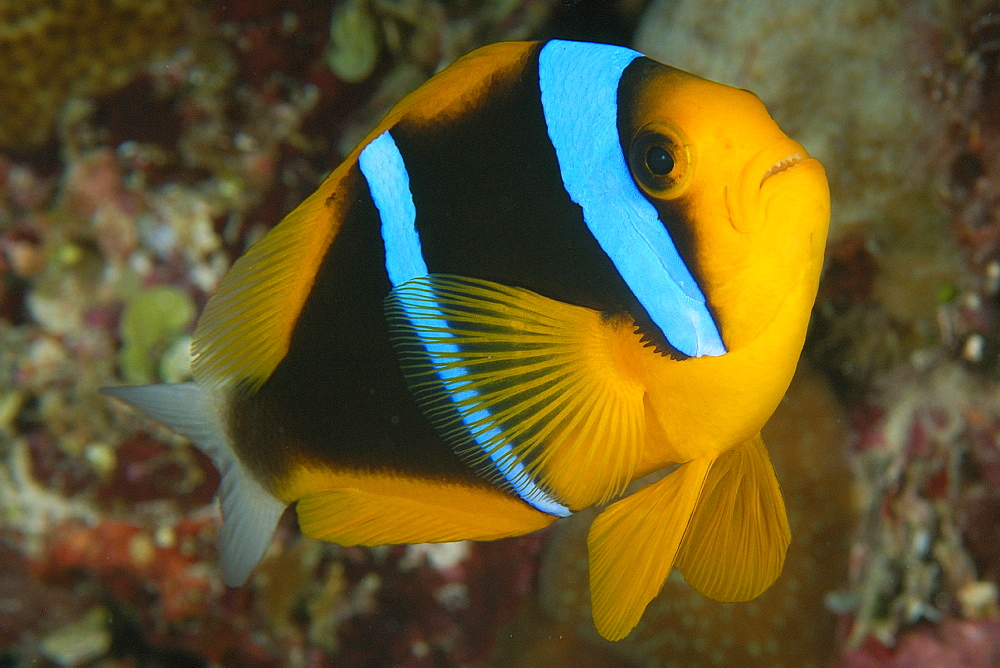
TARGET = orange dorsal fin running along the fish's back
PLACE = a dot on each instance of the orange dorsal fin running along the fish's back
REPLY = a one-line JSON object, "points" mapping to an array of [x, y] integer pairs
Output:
{"points": [[247, 325]]}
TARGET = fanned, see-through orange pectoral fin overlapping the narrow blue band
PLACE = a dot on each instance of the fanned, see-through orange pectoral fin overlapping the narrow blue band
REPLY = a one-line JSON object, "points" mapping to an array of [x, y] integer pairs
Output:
{"points": [[524, 388]]}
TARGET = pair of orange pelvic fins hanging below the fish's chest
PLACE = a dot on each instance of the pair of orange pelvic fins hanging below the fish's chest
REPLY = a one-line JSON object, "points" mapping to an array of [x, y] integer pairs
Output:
{"points": [[720, 520]]}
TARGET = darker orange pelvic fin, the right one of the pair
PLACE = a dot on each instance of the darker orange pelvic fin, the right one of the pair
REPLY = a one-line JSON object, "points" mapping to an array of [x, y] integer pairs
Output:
{"points": [[735, 545]]}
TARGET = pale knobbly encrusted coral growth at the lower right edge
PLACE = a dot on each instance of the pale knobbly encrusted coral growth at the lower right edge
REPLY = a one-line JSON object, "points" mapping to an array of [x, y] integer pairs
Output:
{"points": [[926, 456]]}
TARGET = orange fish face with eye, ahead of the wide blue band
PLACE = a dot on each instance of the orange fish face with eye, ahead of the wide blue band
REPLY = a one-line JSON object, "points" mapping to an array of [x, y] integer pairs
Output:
{"points": [[747, 207]]}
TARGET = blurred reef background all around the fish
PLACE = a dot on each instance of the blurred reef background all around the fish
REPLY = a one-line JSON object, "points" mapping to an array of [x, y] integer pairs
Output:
{"points": [[145, 143]]}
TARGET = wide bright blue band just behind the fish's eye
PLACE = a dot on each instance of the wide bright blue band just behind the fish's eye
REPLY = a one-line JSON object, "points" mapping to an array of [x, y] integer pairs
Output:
{"points": [[579, 84]]}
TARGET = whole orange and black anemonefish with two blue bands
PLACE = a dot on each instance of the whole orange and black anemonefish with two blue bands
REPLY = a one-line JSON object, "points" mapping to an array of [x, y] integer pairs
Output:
{"points": [[553, 269]]}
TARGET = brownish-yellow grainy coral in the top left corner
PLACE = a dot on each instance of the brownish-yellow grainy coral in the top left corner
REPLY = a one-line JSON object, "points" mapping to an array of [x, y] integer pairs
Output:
{"points": [[52, 51]]}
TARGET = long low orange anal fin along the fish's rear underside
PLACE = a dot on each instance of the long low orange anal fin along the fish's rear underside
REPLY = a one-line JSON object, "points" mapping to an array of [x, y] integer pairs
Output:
{"points": [[407, 511]]}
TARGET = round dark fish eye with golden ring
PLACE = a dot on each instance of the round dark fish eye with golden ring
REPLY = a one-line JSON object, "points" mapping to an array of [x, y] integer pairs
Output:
{"points": [[660, 161]]}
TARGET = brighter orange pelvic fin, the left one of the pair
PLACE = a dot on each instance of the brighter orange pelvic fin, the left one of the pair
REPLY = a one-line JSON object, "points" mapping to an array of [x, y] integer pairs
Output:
{"points": [[633, 543]]}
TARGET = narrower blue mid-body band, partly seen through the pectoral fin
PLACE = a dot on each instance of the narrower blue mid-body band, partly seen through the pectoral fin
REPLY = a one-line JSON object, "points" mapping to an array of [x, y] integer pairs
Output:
{"points": [[383, 167]]}
